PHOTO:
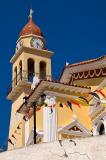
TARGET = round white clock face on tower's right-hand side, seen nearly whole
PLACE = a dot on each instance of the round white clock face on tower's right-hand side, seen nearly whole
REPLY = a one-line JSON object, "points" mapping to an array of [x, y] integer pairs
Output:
{"points": [[37, 43]]}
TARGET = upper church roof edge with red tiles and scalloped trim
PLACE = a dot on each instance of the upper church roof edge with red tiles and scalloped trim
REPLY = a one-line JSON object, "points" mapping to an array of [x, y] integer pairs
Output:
{"points": [[86, 69]]}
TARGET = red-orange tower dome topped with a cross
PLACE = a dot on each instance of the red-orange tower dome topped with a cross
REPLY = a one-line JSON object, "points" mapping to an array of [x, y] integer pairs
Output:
{"points": [[31, 28]]}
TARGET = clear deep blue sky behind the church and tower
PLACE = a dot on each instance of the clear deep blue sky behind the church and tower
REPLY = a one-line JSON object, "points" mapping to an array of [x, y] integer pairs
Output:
{"points": [[74, 30]]}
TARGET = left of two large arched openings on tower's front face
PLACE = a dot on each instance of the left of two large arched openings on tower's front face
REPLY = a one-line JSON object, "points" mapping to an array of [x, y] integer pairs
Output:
{"points": [[30, 70]]}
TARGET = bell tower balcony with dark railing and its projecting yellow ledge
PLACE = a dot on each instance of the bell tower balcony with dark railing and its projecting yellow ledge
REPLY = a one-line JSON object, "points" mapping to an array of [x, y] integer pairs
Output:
{"points": [[22, 82]]}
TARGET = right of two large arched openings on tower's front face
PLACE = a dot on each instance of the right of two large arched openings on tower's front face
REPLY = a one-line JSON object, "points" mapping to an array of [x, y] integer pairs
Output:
{"points": [[42, 70]]}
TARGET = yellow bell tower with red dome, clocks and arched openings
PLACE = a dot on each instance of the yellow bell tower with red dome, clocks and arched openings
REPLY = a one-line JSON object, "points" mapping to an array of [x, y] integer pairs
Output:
{"points": [[31, 58]]}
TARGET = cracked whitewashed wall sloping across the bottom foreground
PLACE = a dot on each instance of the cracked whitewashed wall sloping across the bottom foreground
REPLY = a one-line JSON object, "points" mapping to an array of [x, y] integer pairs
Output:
{"points": [[92, 148]]}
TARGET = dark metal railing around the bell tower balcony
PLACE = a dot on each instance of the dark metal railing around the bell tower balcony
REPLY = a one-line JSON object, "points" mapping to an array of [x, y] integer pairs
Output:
{"points": [[28, 77]]}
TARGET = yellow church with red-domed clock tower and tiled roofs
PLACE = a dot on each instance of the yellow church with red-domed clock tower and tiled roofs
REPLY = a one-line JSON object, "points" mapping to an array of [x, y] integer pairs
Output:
{"points": [[73, 106]]}
